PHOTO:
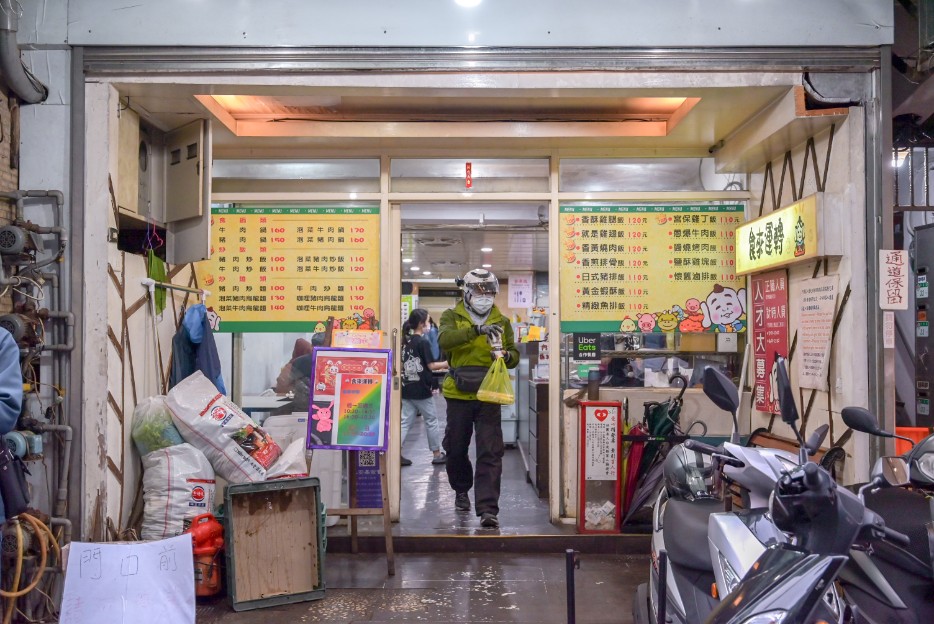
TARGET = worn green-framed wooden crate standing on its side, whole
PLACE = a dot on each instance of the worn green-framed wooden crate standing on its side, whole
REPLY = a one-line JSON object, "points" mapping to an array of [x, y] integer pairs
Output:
{"points": [[275, 540]]}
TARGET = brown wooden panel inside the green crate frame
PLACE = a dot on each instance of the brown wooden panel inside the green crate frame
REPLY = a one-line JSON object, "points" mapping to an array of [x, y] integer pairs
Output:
{"points": [[274, 536]]}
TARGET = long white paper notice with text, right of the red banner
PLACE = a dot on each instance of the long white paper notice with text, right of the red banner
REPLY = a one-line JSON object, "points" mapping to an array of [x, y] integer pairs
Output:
{"points": [[817, 300]]}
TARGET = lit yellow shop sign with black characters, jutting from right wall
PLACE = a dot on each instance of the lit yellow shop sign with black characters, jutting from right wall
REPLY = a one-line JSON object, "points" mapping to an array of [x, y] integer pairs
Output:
{"points": [[786, 236]]}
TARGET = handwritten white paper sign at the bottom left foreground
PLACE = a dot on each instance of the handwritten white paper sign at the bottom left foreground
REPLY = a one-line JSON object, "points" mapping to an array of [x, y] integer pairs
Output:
{"points": [[142, 583]]}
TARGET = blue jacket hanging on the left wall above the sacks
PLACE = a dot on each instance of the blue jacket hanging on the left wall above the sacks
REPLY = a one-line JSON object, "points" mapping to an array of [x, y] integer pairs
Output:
{"points": [[193, 349]]}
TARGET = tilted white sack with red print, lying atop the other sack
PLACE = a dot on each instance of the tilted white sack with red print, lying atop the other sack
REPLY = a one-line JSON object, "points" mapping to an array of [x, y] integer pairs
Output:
{"points": [[239, 450]]}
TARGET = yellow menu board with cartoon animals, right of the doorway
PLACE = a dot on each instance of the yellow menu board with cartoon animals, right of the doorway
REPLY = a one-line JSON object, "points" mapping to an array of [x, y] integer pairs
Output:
{"points": [[651, 269]]}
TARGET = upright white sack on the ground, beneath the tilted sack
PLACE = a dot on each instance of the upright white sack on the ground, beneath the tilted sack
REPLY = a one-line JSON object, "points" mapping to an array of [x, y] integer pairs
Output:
{"points": [[178, 485]]}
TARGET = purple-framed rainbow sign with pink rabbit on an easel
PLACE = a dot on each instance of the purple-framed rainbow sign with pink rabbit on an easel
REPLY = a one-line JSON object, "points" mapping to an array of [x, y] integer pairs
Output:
{"points": [[349, 406]]}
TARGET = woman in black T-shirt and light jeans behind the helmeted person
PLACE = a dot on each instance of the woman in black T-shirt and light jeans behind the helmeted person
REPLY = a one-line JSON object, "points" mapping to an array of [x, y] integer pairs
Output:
{"points": [[417, 382]]}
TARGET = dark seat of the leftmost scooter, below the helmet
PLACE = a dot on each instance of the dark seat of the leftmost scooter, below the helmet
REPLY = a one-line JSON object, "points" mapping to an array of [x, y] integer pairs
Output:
{"points": [[685, 527]]}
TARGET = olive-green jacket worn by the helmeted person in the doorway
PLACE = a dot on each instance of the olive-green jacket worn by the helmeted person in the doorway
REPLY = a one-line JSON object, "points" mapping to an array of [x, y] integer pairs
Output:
{"points": [[464, 346]]}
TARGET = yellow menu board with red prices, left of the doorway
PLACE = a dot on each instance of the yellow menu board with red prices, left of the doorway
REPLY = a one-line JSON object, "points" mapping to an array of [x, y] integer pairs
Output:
{"points": [[275, 269]]}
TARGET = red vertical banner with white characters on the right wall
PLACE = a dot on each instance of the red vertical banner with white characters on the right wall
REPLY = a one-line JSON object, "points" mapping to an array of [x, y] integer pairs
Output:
{"points": [[770, 334]]}
